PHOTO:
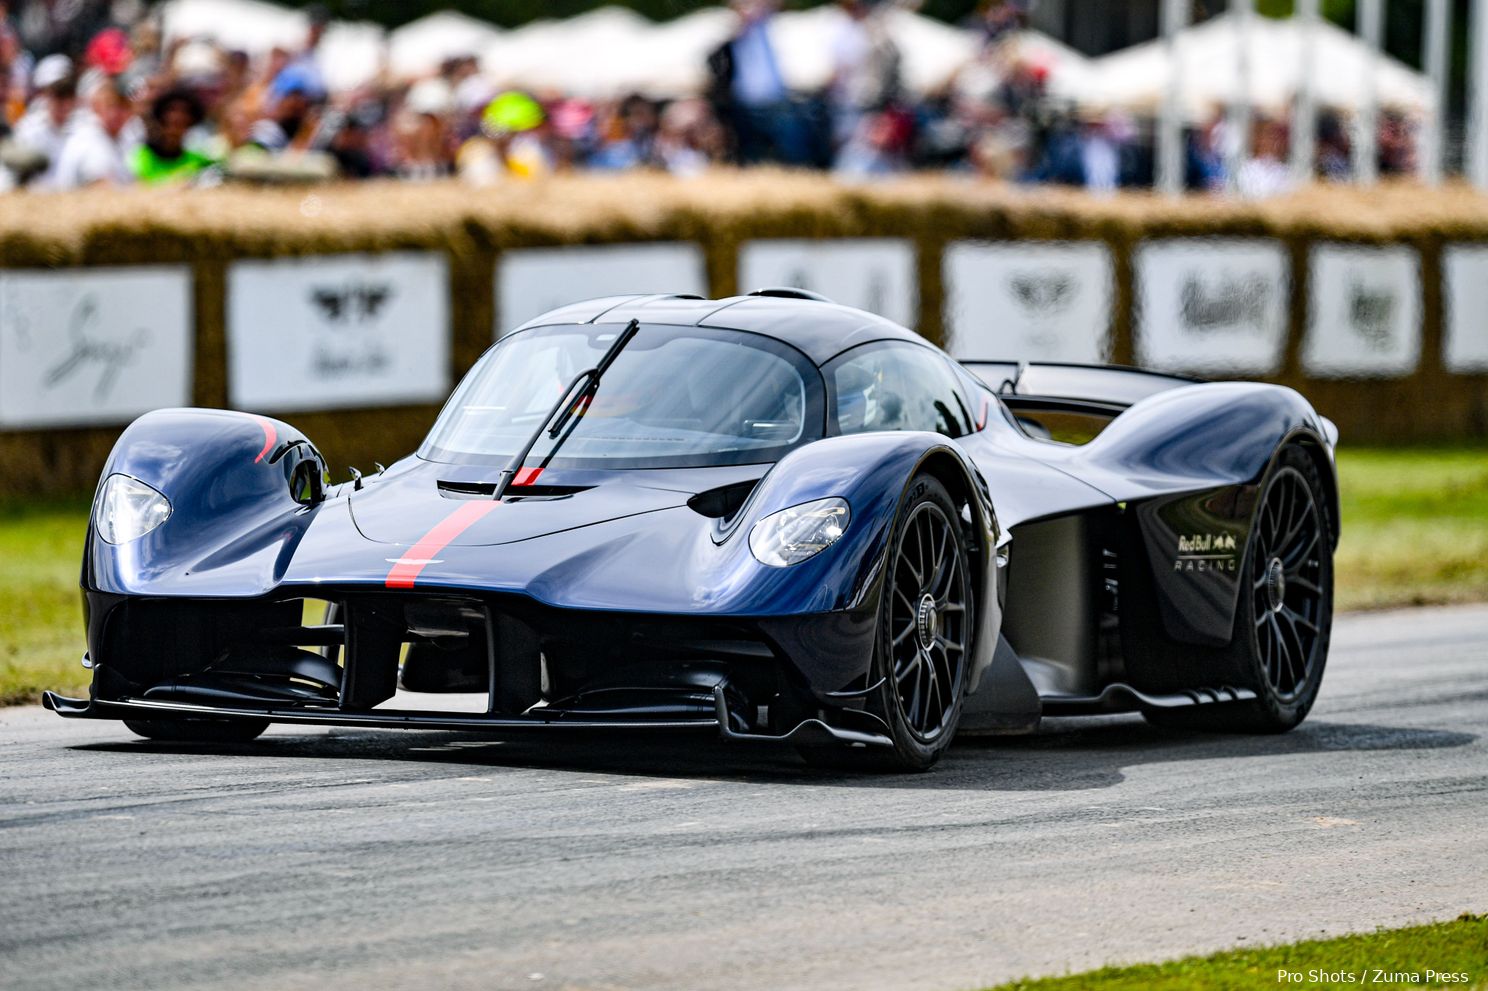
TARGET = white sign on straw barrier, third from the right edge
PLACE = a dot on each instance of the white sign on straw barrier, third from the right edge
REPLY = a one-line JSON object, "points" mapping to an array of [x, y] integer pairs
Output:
{"points": [[1212, 307]]}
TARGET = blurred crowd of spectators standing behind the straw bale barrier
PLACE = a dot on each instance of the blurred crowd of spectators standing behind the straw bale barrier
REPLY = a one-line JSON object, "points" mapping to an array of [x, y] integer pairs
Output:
{"points": [[90, 94]]}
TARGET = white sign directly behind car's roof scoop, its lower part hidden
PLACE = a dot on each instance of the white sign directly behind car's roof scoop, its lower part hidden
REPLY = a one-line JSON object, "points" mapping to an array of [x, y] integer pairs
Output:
{"points": [[873, 275]]}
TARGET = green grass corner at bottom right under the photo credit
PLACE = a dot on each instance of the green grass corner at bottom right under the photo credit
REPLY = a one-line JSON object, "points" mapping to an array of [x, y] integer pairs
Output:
{"points": [[1446, 949]]}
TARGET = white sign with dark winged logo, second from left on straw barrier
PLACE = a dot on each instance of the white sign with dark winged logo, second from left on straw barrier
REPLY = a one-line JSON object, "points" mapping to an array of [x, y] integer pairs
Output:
{"points": [[340, 331]]}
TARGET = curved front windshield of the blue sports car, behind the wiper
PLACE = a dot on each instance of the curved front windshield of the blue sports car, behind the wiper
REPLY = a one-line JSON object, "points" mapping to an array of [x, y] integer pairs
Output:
{"points": [[675, 398]]}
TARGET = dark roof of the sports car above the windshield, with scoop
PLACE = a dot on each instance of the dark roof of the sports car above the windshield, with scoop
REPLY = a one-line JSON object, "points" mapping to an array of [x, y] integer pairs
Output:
{"points": [[818, 328]]}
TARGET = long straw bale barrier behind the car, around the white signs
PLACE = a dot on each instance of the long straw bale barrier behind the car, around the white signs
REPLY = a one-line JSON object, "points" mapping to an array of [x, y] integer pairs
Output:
{"points": [[209, 230]]}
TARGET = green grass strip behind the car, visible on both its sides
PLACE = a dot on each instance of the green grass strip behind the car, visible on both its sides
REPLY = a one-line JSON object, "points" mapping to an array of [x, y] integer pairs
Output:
{"points": [[1416, 532]]}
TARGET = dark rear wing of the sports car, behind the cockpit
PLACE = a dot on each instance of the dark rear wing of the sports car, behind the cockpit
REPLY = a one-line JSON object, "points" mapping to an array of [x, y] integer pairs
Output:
{"points": [[1106, 389]]}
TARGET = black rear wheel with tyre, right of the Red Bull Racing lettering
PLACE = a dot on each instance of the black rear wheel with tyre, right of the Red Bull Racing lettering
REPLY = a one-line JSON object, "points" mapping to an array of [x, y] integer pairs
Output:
{"points": [[1285, 611]]}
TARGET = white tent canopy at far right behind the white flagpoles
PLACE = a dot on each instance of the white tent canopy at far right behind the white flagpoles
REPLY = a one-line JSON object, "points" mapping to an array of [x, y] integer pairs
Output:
{"points": [[1209, 54]]}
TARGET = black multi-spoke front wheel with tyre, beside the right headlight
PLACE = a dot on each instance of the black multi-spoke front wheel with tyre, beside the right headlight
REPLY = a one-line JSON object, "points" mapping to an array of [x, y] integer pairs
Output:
{"points": [[922, 655]]}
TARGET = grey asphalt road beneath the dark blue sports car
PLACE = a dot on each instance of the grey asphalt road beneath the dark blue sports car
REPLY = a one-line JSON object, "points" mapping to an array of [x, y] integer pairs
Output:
{"points": [[337, 859]]}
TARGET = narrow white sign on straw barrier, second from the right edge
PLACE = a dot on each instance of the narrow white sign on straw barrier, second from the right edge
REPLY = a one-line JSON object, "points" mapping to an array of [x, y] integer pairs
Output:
{"points": [[1364, 313]]}
